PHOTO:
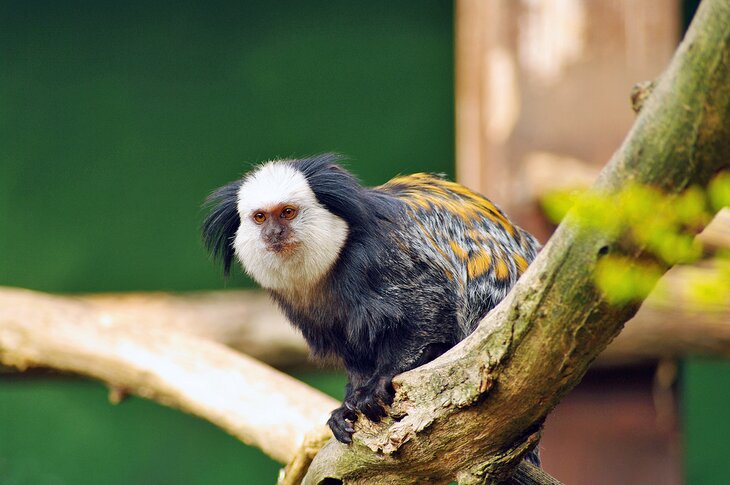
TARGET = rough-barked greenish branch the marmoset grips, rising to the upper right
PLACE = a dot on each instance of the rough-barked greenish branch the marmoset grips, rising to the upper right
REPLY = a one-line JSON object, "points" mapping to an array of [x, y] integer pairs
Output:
{"points": [[474, 412]]}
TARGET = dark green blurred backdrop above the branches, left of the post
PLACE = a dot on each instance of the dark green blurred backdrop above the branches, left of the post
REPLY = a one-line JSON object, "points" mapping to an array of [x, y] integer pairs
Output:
{"points": [[117, 119]]}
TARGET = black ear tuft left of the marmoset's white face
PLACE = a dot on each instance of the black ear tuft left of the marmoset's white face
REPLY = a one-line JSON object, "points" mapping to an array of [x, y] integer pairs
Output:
{"points": [[220, 227]]}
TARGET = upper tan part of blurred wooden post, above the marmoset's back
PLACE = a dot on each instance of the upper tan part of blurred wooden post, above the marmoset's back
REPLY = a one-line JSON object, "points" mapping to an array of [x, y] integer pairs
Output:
{"points": [[543, 86]]}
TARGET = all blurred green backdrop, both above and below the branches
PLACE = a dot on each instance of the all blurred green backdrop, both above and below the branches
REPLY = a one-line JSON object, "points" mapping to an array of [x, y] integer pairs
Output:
{"points": [[117, 119]]}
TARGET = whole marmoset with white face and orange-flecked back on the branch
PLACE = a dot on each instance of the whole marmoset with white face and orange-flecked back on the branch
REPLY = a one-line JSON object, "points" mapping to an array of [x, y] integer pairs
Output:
{"points": [[384, 278]]}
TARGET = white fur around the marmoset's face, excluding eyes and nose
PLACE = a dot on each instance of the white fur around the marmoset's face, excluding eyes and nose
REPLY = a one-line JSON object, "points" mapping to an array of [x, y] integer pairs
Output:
{"points": [[319, 234]]}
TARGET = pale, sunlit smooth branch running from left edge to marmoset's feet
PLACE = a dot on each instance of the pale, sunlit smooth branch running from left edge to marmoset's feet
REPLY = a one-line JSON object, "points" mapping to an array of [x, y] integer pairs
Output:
{"points": [[257, 404]]}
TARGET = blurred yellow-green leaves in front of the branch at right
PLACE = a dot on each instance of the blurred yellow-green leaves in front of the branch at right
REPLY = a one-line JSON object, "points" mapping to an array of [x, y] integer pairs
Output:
{"points": [[662, 224]]}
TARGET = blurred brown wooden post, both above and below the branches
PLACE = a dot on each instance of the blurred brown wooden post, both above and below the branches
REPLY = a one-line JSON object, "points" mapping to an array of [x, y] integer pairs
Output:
{"points": [[542, 101]]}
